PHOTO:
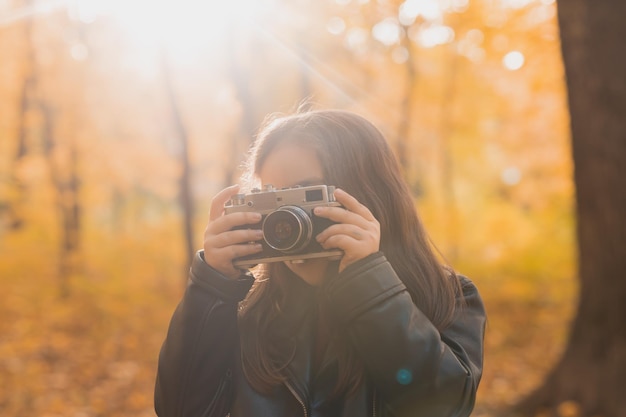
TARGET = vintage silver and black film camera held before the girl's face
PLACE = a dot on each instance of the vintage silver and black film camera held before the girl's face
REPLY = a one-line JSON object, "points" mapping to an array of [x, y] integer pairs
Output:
{"points": [[289, 225]]}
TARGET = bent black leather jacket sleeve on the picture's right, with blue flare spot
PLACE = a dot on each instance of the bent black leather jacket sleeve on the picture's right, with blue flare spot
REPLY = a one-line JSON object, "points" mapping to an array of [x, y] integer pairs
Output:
{"points": [[417, 370]]}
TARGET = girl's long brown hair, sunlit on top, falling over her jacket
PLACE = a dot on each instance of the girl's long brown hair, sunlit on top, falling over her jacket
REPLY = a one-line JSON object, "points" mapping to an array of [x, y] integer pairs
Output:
{"points": [[355, 157]]}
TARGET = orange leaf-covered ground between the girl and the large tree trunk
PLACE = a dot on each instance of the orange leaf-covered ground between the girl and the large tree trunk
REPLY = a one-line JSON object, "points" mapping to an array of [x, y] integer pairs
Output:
{"points": [[527, 329]]}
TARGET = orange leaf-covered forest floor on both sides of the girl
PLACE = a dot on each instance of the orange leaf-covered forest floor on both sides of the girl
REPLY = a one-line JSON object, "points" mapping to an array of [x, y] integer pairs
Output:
{"points": [[93, 351]]}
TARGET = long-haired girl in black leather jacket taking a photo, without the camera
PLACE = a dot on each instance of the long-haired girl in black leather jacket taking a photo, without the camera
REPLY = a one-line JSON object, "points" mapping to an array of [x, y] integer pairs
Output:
{"points": [[384, 331]]}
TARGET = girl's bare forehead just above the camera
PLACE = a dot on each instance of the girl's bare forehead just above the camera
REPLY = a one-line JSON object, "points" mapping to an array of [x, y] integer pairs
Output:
{"points": [[291, 164]]}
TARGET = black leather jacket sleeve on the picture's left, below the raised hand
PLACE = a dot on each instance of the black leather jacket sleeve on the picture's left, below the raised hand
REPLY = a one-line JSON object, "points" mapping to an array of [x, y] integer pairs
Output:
{"points": [[200, 343]]}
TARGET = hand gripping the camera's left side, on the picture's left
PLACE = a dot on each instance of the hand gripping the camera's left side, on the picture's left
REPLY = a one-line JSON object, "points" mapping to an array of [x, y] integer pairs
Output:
{"points": [[221, 243]]}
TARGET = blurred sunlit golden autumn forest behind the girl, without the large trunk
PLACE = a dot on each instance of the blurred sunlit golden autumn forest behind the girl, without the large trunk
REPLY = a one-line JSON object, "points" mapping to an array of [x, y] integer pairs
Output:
{"points": [[119, 121]]}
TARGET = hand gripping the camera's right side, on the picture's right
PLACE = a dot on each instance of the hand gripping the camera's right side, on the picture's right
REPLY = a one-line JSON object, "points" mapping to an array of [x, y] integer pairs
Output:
{"points": [[356, 232]]}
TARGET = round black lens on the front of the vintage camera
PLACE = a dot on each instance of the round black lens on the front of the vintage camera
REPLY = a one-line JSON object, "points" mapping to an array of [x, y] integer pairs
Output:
{"points": [[287, 229]]}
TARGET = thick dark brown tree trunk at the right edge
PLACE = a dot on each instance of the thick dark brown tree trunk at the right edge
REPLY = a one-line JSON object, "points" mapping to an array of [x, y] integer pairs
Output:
{"points": [[590, 376]]}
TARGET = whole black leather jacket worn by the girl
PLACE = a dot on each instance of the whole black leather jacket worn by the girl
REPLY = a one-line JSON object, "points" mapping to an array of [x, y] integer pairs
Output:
{"points": [[412, 369]]}
